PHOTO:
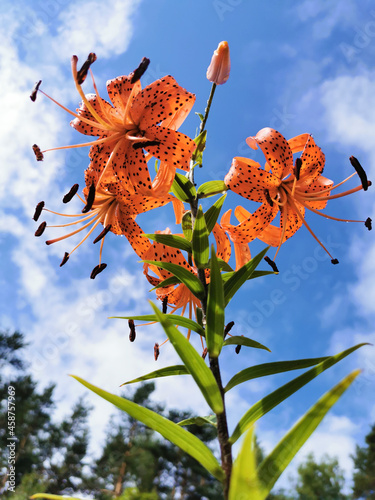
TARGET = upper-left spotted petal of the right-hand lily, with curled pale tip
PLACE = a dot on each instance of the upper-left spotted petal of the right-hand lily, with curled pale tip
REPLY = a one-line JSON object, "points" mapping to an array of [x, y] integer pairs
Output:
{"points": [[276, 150]]}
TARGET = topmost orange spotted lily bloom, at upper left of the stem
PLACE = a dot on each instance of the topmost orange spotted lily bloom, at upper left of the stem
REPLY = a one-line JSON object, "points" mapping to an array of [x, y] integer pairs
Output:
{"points": [[136, 121]]}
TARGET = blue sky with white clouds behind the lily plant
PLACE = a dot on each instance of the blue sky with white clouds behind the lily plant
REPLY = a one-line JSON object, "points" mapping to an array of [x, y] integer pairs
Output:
{"points": [[305, 68]]}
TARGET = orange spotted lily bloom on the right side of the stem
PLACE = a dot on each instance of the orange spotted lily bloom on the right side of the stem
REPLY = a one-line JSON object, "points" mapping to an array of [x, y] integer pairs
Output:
{"points": [[282, 188]]}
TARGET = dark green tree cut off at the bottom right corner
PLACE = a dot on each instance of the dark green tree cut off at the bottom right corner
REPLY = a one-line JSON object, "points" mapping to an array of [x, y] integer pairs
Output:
{"points": [[364, 468]]}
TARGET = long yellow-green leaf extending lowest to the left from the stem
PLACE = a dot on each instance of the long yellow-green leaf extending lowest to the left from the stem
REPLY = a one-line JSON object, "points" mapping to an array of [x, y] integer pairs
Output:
{"points": [[171, 431]]}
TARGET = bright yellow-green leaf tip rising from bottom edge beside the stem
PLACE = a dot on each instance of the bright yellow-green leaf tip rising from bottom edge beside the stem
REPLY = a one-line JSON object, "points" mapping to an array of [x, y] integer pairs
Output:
{"points": [[244, 484]]}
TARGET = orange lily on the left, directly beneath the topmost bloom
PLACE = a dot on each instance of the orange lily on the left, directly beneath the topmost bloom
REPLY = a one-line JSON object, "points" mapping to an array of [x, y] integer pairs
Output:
{"points": [[110, 204]]}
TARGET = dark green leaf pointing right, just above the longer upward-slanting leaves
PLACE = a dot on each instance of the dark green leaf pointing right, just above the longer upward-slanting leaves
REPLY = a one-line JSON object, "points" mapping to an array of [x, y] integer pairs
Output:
{"points": [[265, 369]]}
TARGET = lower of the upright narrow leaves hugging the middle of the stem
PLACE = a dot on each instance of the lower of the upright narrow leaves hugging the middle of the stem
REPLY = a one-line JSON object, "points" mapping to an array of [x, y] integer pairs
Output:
{"points": [[215, 309]]}
